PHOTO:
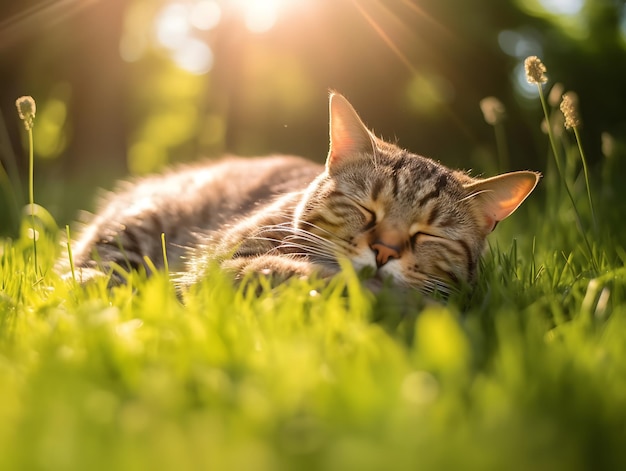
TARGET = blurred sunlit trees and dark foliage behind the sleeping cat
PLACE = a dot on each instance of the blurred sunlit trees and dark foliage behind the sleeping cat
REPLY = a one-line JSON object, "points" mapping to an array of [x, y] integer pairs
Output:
{"points": [[126, 87]]}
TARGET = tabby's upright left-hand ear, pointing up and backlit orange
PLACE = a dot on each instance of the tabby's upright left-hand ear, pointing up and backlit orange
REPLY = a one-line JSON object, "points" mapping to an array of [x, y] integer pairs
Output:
{"points": [[349, 137]]}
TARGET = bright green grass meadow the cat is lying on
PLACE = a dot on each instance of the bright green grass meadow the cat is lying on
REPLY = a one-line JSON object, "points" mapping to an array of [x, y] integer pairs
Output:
{"points": [[525, 370]]}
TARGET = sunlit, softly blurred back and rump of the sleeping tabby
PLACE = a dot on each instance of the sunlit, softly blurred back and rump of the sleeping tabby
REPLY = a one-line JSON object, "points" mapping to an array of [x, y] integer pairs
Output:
{"points": [[196, 197]]}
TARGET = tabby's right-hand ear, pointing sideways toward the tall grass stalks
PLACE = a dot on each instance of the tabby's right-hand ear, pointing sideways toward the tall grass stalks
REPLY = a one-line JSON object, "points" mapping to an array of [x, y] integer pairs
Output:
{"points": [[497, 197]]}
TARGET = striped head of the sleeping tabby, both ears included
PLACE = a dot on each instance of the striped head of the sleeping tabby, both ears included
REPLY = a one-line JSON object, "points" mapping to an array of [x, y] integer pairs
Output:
{"points": [[408, 217]]}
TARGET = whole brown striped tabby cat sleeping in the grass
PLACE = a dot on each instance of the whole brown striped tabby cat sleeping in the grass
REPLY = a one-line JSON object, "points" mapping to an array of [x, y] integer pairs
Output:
{"points": [[408, 218]]}
